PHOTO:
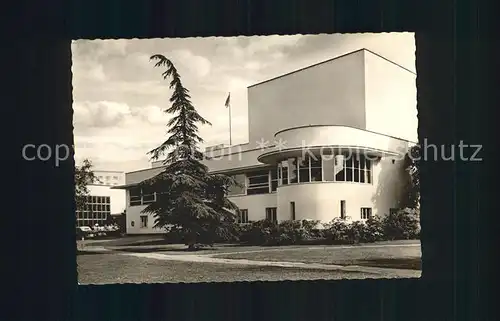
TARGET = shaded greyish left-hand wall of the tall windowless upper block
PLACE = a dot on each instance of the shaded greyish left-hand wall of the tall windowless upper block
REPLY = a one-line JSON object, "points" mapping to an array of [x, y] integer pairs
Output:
{"points": [[329, 93]]}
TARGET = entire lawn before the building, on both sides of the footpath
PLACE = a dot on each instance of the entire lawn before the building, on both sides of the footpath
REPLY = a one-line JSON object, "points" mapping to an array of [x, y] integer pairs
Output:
{"points": [[118, 267]]}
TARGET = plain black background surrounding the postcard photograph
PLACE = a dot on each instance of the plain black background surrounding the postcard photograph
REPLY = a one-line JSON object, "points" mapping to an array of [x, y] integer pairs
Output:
{"points": [[452, 64]]}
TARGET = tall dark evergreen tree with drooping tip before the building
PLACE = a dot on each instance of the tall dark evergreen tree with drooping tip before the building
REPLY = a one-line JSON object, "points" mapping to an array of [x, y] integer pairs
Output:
{"points": [[190, 200]]}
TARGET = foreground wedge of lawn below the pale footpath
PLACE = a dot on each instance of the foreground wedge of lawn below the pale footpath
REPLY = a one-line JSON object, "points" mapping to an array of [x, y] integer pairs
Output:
{"points": [[117, 268]]}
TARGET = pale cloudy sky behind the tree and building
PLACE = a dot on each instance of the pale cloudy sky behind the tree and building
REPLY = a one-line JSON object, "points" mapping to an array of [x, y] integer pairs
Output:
{"points": [[119, 96]]}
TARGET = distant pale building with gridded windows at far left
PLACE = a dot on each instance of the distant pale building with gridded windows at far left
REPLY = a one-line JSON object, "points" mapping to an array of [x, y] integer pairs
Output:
{"points": [[103, 201]]}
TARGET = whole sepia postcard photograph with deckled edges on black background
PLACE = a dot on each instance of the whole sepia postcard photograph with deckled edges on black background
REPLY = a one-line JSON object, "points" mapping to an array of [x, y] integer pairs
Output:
{"points": [[263, 158]]}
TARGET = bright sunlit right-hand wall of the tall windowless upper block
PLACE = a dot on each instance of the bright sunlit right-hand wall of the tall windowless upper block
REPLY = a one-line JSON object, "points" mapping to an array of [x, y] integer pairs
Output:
{"points": [[391, 98]]}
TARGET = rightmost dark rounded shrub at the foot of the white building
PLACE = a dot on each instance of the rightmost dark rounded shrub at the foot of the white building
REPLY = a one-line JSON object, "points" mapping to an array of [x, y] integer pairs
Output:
{"points": [[403, 224]]}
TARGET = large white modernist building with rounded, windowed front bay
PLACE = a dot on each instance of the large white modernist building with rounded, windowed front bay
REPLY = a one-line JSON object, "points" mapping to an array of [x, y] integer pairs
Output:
{"points": [[325, 141]]}
